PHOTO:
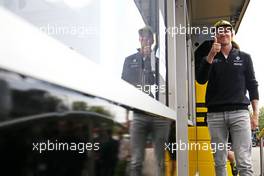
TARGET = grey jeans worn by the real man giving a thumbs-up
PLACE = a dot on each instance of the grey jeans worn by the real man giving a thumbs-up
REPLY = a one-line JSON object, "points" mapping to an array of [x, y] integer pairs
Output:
{"points": [[237, 123]]}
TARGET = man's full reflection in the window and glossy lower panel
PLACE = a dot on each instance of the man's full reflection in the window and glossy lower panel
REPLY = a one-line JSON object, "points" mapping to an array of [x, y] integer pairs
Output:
{"points": [[137, 71]]}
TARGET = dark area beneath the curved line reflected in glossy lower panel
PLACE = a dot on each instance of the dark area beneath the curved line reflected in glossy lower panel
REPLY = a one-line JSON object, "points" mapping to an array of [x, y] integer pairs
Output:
{"points": [[68, 146]]}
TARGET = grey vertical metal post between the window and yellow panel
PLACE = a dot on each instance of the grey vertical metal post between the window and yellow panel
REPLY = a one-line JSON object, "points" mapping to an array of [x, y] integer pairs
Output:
{"points": [[182, 89]]}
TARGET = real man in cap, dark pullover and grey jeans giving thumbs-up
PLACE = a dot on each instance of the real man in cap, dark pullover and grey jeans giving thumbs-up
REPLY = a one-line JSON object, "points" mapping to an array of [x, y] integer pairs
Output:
{"points": [[230, 75]]}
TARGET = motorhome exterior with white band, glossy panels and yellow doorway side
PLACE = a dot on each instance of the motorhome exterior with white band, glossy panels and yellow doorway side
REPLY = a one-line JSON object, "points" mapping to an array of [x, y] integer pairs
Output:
{"points": [[61, 93]]}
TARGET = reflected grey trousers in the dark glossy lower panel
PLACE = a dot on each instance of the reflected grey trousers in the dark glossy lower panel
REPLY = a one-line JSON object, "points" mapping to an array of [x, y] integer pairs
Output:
{"points": [[141, 127]]}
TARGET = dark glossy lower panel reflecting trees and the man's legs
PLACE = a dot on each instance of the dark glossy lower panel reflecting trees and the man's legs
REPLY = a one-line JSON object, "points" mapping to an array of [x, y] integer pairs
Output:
{"points": [[43, 125]]}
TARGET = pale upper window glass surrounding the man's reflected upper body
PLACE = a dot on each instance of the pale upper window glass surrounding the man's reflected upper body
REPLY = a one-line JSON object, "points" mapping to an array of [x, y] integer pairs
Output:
{"points": [[101, 30]]}
